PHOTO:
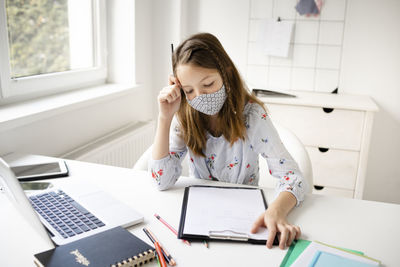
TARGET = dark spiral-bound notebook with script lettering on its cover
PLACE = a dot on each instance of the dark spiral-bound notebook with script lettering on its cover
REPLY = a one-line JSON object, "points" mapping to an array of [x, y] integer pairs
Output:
{"points": [[114, 247]]}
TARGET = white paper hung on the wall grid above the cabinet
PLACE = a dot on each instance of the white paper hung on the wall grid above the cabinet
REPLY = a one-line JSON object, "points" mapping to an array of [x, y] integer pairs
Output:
{"points": [[275, 37]]}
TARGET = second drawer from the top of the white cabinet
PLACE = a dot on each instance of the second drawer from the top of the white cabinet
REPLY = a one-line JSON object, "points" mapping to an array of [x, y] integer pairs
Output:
{"points": [[333, 167]]}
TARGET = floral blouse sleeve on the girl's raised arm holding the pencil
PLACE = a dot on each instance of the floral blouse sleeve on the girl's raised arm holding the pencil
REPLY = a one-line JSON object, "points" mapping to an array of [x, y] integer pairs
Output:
{"points": [[167, 170]]}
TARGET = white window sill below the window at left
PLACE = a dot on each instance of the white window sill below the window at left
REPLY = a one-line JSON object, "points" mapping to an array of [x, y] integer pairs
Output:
{"points": [[19, 114]]}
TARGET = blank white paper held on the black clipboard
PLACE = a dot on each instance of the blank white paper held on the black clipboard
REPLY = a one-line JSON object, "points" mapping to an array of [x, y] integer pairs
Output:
{"points": [[219, 210]]}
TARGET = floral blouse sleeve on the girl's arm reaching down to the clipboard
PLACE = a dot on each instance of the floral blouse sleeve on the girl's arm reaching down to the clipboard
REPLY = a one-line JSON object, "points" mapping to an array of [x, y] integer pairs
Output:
{"points": [[265, 140]]}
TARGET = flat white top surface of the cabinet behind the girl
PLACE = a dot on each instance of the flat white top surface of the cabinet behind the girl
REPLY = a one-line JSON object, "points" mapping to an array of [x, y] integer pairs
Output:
{"points": [[341, 101]]}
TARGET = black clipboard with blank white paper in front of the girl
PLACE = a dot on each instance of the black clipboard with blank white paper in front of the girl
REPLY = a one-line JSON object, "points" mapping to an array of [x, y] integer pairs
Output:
{"points": [[222, 213]]}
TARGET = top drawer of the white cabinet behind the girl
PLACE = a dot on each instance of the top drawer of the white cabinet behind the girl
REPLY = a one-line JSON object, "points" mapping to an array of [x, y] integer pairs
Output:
{"points": [[337, 128]]}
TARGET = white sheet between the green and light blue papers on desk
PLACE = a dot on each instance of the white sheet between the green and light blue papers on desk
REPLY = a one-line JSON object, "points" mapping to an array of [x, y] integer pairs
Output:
{"points": [[308, 254]]}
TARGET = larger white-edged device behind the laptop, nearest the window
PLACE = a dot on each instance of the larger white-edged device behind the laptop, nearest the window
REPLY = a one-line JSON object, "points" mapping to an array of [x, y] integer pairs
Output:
{"points": [[39, 171]]}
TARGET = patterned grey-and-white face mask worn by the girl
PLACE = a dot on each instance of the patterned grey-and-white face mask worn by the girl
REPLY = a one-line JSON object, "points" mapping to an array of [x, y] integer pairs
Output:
{"points": [[209, 104]]}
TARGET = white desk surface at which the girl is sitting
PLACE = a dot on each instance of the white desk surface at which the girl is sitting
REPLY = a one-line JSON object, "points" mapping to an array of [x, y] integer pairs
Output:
{"points": [[371, 227]]}
